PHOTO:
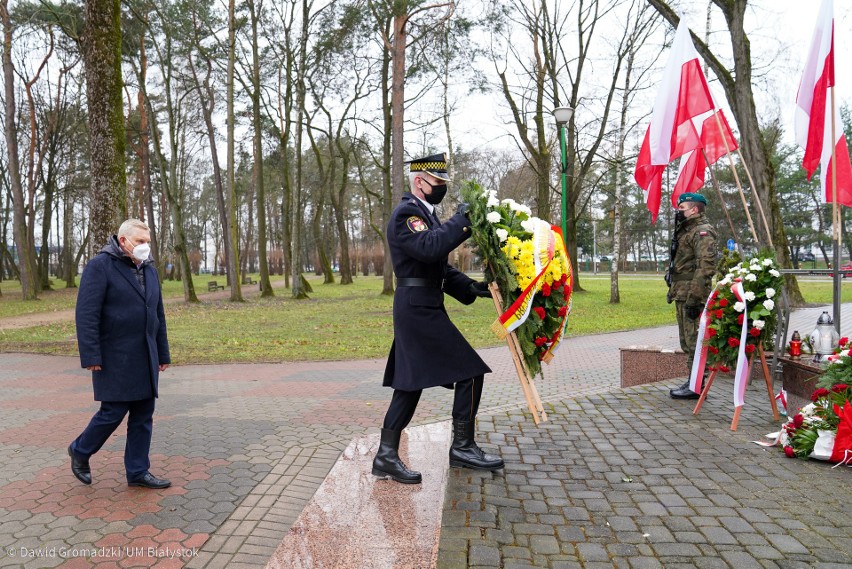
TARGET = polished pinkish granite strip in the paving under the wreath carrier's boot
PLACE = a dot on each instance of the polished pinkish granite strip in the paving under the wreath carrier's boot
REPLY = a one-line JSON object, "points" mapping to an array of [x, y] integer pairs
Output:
{"points": [[358, 520]]}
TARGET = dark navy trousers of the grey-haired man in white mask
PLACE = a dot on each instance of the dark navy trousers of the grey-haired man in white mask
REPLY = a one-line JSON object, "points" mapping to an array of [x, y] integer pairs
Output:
{"points": [[140, 426]]}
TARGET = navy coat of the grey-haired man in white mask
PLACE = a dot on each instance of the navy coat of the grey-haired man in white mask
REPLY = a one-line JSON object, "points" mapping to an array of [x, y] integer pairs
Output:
{"points": [[120, 328]]}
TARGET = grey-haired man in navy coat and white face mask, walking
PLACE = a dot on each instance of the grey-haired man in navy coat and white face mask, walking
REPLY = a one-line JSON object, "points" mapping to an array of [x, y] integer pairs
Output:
{"points": [[121, 334]]}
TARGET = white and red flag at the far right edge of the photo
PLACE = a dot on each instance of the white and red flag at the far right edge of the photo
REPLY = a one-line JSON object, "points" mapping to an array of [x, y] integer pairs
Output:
{"points": [[813, 121]]}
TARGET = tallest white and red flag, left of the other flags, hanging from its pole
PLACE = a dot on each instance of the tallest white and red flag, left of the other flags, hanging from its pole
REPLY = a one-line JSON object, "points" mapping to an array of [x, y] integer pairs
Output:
{"points": [[683, 95]]}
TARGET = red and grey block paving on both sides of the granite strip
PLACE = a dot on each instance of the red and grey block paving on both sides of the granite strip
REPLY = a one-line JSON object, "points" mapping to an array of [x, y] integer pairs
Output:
{"points": [[616, 478]]}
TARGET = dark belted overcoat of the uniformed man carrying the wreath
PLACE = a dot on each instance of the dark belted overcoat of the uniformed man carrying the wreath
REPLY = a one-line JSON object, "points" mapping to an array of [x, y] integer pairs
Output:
{"points": [[428, 350]]}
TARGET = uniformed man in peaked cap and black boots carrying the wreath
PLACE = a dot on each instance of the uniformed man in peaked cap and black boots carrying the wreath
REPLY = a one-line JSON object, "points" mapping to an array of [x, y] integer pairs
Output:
{"points": [[428, 350]]}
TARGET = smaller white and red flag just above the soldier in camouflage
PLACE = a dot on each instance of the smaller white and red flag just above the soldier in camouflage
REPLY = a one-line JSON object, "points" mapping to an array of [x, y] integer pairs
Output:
{"points": [[716, 140]]}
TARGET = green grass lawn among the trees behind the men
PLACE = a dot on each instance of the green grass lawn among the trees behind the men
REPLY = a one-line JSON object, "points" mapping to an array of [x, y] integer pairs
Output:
{"points": [[344, 322]]}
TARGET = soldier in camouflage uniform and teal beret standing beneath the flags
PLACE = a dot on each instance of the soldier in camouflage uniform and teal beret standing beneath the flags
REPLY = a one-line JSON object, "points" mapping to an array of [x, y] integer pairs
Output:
{"points": [[691, 268]]}
